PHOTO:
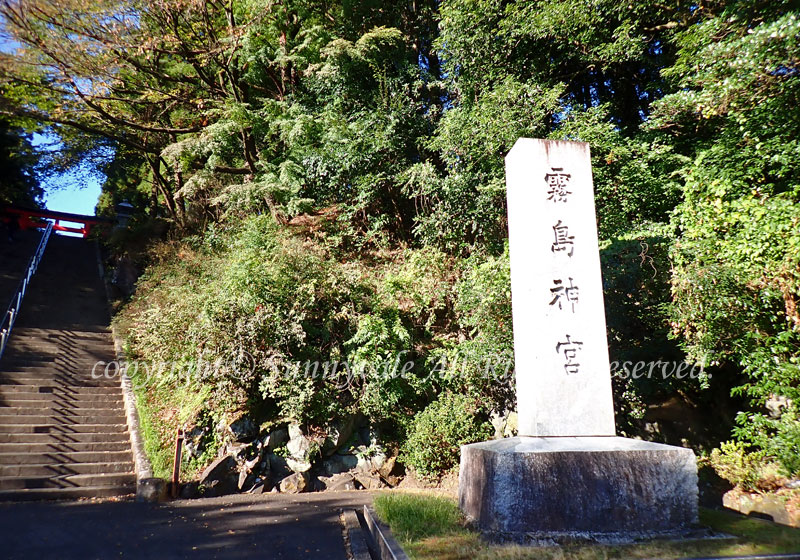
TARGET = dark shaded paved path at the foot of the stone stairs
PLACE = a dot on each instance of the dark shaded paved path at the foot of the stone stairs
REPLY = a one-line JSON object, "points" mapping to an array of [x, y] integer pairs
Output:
{"points": [[273, 526]]}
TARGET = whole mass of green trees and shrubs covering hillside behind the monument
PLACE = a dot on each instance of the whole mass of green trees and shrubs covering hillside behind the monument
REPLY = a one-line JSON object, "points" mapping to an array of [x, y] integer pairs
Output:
{"points": [[335, 173]]}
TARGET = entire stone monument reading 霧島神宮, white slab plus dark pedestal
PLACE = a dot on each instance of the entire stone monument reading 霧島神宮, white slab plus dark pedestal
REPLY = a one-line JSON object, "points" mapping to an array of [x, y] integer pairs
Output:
{"points": [[566, 474]]}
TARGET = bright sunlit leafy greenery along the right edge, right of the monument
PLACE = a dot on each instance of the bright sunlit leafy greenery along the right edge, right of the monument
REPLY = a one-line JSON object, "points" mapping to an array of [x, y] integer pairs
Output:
{"points": [[735, 280]]}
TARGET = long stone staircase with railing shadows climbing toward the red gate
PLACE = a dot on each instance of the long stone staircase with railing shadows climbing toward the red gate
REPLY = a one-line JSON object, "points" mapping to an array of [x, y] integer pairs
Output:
{"points": [[63, 432]]}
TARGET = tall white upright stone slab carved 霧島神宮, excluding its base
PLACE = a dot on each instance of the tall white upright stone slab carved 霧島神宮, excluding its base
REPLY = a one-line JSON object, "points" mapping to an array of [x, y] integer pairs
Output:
{"points": [[560, 346]]}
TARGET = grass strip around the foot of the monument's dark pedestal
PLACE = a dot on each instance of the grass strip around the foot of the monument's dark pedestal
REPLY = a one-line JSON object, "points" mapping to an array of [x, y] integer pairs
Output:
{"points": [[431, 527]]}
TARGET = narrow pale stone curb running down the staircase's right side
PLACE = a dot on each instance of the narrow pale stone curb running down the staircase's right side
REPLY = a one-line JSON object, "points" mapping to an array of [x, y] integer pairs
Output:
{"points": [[148, 488]]}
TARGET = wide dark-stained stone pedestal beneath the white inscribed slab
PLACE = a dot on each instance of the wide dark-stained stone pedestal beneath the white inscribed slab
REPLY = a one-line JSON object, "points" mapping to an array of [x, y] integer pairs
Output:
{"points": [[578, 486]]}
